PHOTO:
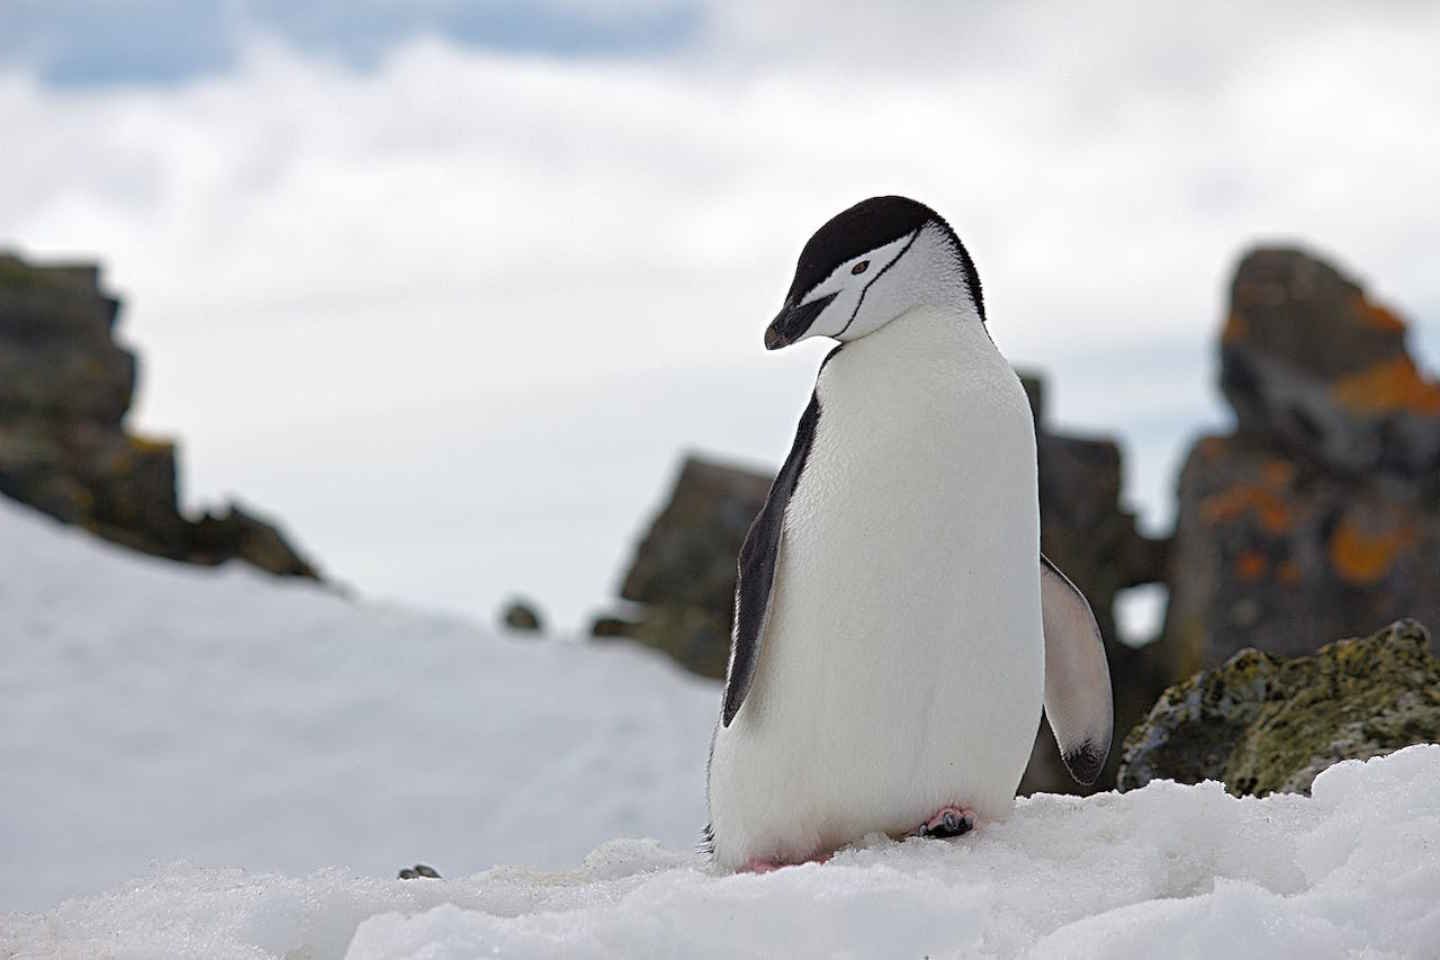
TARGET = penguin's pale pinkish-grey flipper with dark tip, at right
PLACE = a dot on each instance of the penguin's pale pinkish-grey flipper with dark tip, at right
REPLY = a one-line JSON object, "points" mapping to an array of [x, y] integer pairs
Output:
{"points": [[1078, 677]]}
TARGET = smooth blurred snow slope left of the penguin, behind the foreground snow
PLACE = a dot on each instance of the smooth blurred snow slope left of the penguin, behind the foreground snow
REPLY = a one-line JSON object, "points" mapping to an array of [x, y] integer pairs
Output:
{"points": [[152, 712]]}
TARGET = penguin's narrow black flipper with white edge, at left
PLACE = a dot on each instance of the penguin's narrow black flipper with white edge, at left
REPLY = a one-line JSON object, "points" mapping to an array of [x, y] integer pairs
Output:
{"points": [[760, 559]]}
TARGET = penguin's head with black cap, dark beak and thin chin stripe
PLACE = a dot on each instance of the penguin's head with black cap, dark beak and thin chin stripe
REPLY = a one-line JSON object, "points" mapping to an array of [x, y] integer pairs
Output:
{"points": [[872, 264]]}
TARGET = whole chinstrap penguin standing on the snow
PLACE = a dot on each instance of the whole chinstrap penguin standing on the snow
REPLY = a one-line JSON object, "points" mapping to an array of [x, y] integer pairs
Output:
{"points": [[896, 628]]}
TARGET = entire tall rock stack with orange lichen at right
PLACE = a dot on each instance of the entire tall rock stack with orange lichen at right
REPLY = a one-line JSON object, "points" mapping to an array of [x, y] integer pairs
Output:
{"points": [[1318, 517]]}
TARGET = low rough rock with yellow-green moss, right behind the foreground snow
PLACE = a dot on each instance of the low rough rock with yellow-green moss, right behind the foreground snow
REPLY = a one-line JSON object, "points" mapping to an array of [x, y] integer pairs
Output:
{"points": [[1266, 725]]}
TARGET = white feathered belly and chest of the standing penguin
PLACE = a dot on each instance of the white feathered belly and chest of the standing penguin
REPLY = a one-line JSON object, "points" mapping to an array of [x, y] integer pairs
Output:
{"points": [[904, 658]]}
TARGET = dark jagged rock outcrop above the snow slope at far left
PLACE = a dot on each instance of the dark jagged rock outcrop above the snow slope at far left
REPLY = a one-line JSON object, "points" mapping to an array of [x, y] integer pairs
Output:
{"points": [[66, 389]]}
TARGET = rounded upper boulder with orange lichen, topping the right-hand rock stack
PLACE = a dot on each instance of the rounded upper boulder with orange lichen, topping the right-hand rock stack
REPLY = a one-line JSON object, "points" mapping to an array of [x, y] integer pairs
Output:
{"points": [[1318, 371]]}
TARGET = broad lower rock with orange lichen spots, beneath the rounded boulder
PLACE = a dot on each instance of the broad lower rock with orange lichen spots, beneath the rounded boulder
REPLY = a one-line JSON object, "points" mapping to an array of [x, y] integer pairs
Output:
{"points": [[1275, 555]]}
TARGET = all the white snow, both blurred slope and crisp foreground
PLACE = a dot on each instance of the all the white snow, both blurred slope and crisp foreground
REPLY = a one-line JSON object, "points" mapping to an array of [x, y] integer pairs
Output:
{"points": [[270, 732]]}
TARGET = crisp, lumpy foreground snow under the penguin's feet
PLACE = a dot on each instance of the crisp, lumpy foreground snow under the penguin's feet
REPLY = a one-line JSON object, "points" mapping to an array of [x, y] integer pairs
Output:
{"points": [[1167, 871]]}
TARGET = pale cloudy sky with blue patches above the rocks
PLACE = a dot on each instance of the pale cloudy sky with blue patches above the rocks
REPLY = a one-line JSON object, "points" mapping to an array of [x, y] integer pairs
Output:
{"points": [[449, 287]]}
